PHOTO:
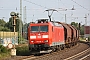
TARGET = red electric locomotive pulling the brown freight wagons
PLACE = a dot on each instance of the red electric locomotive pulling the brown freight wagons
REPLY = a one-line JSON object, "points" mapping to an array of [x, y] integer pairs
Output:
{"points": [[43, 35]]}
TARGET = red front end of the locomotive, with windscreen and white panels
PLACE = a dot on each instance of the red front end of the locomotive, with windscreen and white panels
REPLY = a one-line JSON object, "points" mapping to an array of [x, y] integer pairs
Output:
{"points": [[38, 36]]}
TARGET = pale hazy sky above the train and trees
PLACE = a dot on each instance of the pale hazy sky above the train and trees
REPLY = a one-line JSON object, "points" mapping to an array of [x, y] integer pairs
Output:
{"points": [[36, 9]]}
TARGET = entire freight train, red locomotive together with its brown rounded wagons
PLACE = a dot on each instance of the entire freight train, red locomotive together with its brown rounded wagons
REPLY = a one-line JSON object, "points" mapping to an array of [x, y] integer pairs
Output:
{"points": [[46, 36]]}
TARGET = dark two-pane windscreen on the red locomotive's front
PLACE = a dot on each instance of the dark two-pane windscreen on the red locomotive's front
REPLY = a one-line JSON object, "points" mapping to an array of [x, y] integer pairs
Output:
{"points": [[43, 28]]}
